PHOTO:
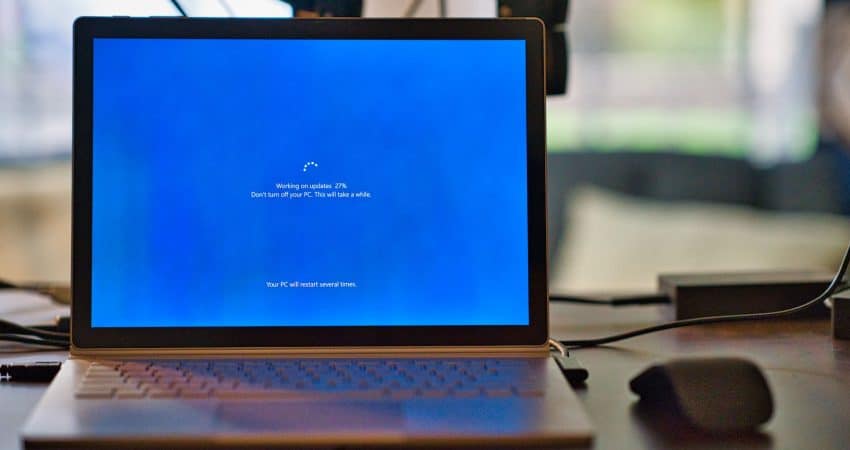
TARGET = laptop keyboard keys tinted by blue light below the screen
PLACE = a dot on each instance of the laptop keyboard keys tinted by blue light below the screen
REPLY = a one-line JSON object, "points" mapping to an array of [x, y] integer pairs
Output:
{"points": [[309, 379]]}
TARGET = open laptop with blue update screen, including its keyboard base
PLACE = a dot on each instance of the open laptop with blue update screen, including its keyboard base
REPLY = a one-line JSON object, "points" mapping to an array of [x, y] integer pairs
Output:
{"points": [[324, 232]]}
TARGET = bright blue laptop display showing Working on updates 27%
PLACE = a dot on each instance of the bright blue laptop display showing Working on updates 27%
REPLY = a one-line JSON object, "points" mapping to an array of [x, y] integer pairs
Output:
{"points": [[248, 182]]}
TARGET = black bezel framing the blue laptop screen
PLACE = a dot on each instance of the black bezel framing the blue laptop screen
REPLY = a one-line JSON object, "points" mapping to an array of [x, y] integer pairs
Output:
{"points": [[84, 336]]}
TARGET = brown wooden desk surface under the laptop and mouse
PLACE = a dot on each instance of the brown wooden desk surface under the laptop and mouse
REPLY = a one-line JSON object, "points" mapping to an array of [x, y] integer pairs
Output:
{"points": [[808, 372]]}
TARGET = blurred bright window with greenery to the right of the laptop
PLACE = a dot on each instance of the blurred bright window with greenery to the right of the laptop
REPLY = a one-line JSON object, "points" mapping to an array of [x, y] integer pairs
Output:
{"points": [[720, 77]]}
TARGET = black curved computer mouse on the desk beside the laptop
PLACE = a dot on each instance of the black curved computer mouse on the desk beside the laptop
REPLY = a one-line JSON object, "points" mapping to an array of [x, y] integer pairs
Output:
{"points": [[715, 394]]}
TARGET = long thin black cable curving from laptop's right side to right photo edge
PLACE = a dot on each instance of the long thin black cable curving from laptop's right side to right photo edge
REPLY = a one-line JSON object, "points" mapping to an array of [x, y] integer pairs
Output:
{"points": [[837, 284]]}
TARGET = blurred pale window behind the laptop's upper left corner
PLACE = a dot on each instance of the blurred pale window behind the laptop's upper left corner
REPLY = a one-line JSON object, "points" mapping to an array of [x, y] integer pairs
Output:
{"points": [[35, 63]]}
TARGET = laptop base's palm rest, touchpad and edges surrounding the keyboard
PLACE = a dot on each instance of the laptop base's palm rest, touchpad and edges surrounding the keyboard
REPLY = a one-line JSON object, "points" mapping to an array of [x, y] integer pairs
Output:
{"points": [[555, 417]]}
